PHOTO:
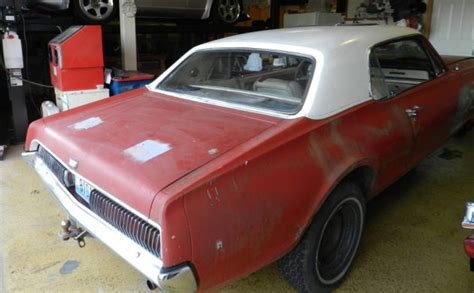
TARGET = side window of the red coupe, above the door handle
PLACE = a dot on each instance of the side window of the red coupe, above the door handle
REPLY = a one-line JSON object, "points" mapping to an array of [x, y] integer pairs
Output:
{"points": [[398, 66]]}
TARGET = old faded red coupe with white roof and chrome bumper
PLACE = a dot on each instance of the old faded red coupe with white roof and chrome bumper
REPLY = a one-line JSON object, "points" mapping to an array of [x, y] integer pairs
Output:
{"points": [[251, 149]]}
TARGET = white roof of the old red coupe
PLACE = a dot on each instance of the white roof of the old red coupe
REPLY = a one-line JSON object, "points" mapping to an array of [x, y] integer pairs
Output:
{"points": [[342, 74]]}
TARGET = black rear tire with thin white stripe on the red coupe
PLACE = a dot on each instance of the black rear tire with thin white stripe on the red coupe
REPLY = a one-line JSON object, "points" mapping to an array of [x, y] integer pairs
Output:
{"points": [[324, 255]]}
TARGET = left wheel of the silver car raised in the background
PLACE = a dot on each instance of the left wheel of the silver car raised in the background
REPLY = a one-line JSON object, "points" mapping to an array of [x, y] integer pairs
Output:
{"points": [[95, 11]]}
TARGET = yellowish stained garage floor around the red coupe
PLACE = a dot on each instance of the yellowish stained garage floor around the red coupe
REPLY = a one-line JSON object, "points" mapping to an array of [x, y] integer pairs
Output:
{"points": [[412, 242]]}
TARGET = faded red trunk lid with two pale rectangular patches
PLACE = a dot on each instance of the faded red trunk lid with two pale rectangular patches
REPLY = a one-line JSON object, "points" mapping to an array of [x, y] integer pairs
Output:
{"points": [[134, 146]]}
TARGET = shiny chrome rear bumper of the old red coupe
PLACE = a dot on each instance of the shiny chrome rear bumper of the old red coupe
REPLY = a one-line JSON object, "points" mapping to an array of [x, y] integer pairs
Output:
{"points": [[179, 279]]}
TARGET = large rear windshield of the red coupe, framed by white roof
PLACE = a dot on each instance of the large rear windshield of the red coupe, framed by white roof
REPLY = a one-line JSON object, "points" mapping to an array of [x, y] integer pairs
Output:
{"points": [[261, 79]]}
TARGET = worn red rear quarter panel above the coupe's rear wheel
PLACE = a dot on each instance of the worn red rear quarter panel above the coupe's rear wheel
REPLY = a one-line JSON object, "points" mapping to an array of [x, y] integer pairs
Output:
{"points": [[251, 206]]}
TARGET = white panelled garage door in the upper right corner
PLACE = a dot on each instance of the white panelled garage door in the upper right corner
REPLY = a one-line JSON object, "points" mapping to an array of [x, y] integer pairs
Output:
{"points": [[452, 27]]}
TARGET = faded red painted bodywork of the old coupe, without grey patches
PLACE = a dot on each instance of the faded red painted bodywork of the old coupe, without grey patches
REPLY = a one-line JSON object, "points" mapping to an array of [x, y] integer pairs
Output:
{"points": [[236, 211]]}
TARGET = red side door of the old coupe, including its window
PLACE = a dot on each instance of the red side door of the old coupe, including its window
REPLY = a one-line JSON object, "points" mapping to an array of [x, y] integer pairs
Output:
{"points": [[424, 89]]}
